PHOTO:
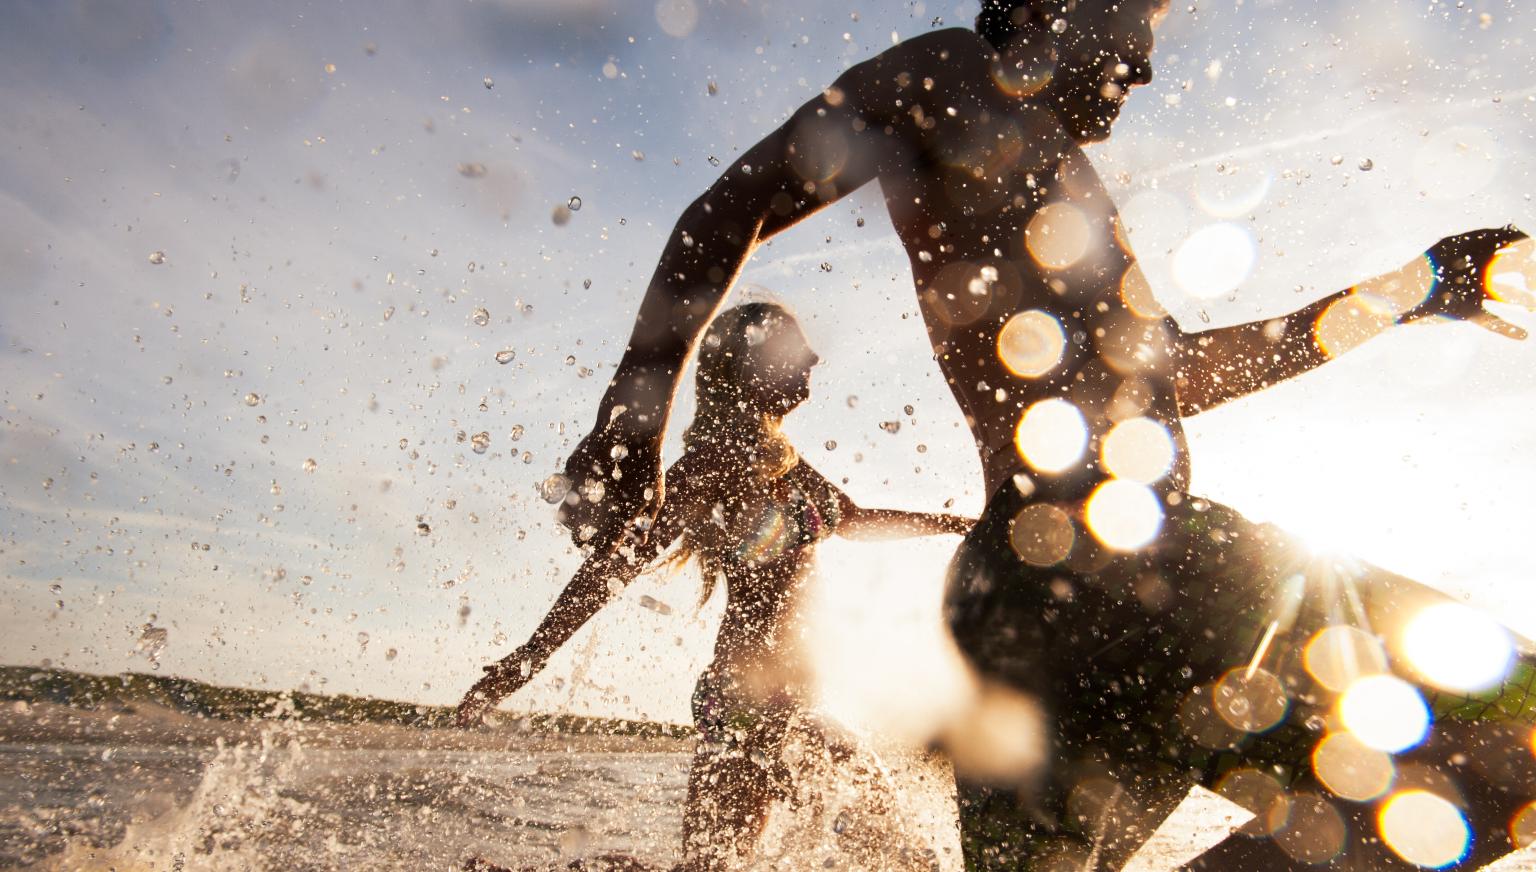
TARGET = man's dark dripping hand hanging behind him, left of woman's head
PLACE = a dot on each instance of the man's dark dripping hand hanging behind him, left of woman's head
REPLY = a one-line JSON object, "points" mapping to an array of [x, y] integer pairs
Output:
{"points": [[614, 486]]}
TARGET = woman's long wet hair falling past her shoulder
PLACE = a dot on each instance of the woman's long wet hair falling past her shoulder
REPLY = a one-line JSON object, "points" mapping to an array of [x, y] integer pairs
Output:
{"points": [[733, 421]]}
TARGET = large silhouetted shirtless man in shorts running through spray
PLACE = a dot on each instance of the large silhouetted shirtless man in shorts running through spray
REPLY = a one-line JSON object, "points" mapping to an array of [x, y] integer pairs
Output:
{"points": [[1093, 583]]}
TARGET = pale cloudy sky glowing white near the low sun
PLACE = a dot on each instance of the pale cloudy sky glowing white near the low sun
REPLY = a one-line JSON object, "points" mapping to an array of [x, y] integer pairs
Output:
{"points": [[260, 266]]}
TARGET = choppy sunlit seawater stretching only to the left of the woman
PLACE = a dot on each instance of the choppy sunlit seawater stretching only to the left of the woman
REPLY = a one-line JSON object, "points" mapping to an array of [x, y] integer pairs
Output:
{"points": [[285, 808]]}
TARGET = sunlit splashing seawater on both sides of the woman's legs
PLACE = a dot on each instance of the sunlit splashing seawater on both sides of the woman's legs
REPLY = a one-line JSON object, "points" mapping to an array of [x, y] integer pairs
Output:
{"points": [[274, 802]]}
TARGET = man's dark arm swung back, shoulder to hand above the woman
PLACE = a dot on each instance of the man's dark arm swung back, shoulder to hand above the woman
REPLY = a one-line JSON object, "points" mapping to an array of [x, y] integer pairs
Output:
{"points": [[821, 154]]}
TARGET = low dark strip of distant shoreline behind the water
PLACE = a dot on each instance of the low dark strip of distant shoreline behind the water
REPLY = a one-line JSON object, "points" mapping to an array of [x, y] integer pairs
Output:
{"points": [[128, 693]]}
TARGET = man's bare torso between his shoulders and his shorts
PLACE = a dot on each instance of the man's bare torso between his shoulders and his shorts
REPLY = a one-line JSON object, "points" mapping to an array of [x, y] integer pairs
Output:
{"points": [[1011, 237]]}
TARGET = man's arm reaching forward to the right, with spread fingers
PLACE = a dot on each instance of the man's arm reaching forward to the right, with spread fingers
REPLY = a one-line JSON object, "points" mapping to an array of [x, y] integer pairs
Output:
{"points": [[1217, 366]]}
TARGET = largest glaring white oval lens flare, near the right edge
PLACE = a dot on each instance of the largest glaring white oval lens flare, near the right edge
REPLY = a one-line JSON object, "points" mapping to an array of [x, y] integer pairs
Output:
{"points": [[1458, 649]]}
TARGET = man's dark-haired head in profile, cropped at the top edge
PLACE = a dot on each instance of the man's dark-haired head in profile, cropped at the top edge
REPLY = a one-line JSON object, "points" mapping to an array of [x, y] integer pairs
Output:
{"points": [[1101, 50]]}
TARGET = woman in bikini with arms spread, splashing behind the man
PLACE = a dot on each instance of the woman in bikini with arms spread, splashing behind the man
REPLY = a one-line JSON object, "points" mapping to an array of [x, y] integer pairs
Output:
{"points": [[746, 507]]}
